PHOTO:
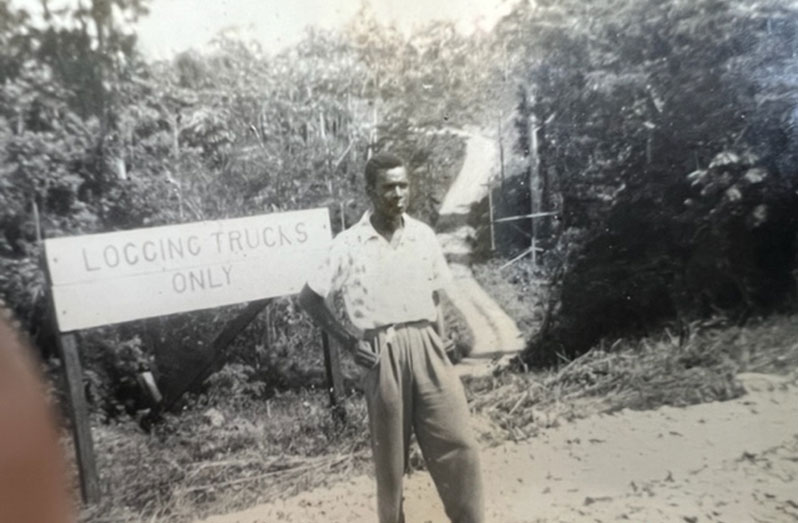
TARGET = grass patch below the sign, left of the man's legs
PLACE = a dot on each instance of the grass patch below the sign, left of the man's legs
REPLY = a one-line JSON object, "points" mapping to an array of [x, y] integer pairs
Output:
{"points": [[226, 457]]}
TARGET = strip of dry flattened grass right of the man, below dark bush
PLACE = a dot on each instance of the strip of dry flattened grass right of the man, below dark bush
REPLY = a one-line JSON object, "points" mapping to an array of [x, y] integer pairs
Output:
{"points": [[697, 366]]}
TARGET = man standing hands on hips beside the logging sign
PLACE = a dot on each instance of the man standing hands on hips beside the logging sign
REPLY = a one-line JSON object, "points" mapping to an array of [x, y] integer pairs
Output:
{"points": [[390, 268]]}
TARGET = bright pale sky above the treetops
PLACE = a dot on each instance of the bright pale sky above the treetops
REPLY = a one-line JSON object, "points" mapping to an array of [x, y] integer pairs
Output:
{"points": [[176, 25]]}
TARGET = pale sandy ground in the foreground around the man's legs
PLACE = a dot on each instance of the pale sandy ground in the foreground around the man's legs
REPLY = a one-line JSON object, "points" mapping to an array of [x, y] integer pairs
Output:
{"points": [[735, 461]]}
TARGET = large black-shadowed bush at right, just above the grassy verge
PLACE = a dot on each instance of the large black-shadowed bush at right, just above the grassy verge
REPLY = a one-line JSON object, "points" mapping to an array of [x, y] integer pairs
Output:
{"points": [[717, 240]]}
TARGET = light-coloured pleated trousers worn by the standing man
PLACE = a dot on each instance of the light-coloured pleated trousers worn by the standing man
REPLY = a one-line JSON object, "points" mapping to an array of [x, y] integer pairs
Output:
{"points": [[413, 387]]}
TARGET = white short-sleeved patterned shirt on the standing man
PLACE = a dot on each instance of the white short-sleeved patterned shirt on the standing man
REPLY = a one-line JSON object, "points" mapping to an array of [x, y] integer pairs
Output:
{"points": [[382, 283]]}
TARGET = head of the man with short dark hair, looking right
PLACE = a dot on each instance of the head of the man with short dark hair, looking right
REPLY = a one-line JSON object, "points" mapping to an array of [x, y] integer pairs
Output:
{"points": [[387, 184]]}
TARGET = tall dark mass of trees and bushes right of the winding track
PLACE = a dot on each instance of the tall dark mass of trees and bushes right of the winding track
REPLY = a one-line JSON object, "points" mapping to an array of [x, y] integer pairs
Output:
{"points": [[667, 142]]}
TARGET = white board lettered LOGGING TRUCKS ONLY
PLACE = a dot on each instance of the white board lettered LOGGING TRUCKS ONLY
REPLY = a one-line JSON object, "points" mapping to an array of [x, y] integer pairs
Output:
{"points": [[100, 279]]}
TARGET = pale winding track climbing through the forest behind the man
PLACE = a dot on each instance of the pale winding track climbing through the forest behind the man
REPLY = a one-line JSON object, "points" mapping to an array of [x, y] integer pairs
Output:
{"points": [[494, 332]]}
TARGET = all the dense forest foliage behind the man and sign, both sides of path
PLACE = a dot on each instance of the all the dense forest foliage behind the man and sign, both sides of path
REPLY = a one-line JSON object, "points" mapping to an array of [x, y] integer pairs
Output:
{"points": [[662, 132]]}
